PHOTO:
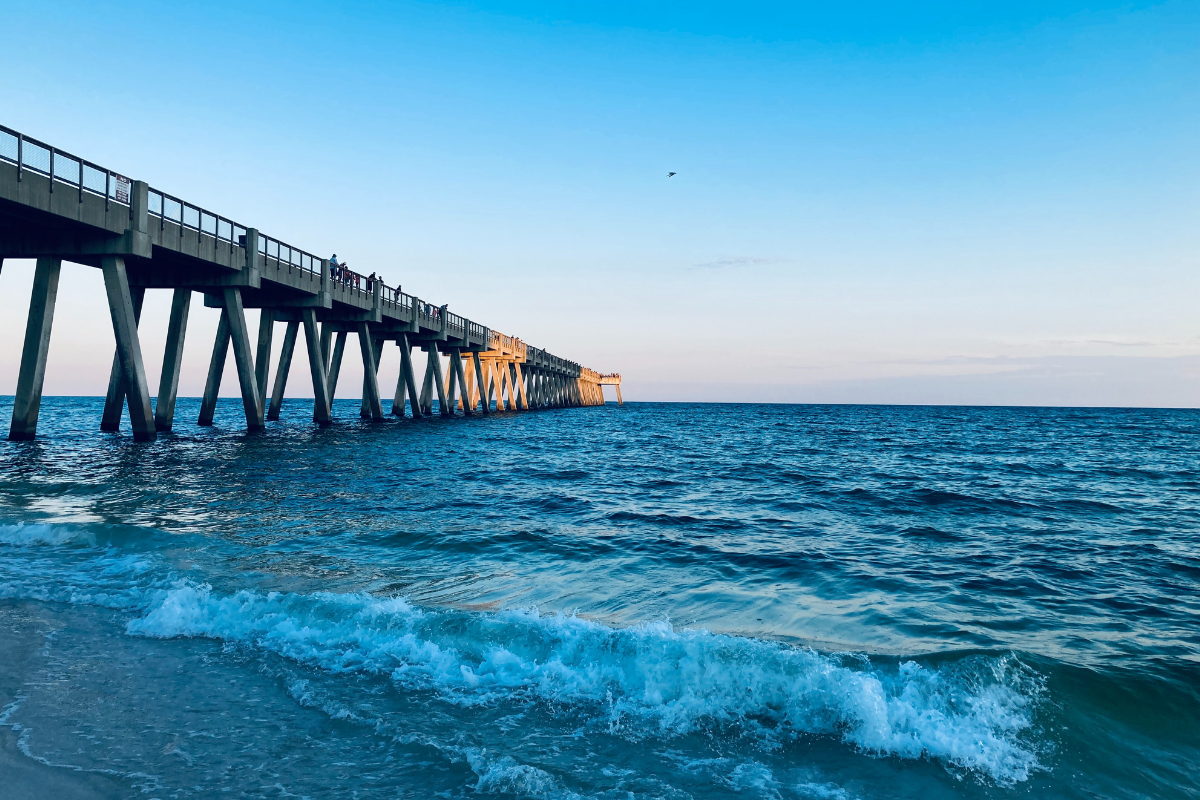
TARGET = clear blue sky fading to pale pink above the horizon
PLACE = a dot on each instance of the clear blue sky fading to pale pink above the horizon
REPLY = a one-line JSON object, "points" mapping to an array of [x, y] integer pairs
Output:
{"points": [[921, 203]]}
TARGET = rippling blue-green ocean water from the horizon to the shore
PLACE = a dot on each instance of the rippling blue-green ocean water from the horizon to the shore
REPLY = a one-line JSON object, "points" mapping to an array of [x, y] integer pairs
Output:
{"points": [[653, 601]]}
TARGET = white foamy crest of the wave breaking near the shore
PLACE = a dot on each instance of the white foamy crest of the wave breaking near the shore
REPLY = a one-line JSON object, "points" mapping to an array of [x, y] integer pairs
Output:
{"points": [[644, 681]]}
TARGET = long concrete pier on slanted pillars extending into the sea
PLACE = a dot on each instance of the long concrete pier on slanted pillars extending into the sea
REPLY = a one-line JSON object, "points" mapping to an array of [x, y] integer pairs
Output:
{"points": [[56, 207]]}
